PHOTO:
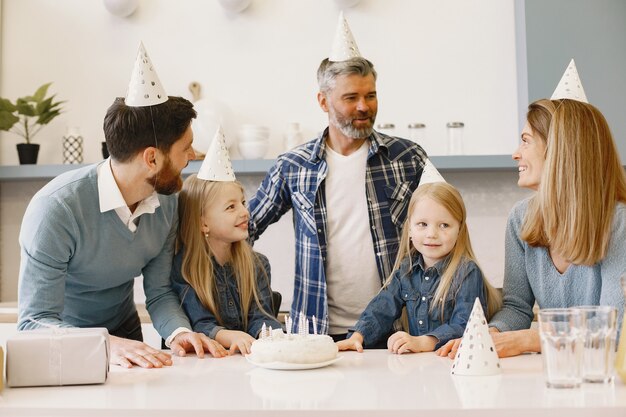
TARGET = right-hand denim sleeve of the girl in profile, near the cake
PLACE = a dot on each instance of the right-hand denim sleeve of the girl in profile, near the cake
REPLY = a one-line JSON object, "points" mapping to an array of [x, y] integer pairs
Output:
{"points": [[256, 317]]}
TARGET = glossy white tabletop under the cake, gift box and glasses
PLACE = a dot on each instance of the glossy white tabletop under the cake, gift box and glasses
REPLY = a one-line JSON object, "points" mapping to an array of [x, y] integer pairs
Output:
{"points": [[374, 383]]}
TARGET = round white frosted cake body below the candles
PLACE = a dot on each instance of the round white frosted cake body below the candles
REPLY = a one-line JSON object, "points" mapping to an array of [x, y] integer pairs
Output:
{"points": [[294, 348]]}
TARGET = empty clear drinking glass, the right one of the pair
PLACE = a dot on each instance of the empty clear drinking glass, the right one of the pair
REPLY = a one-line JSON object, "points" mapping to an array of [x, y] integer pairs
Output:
{"points": [[599, 342]]}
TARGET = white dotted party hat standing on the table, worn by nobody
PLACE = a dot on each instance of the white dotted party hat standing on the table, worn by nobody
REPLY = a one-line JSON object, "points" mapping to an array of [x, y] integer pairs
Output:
{"points": [[476, 355]]}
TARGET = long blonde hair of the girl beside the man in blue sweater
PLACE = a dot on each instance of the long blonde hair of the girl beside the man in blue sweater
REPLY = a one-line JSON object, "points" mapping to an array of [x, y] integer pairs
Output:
{"points": [[197, 265]]}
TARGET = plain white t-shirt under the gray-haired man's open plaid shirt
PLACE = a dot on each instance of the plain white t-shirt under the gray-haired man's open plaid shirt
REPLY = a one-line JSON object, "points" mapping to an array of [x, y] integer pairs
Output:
{"points": [[351, 273]]}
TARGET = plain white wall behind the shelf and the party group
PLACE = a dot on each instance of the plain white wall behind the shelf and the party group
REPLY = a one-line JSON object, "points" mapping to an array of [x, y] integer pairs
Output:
{"points": [[438, 61]]}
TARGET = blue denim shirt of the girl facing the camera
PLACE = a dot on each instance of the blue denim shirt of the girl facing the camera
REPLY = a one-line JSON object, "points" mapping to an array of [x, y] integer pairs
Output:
{"points": [[415, 289]]}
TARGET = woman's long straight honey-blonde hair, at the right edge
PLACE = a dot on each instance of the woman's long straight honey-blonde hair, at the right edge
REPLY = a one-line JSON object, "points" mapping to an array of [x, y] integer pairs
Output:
{"points": [[581, 182]]}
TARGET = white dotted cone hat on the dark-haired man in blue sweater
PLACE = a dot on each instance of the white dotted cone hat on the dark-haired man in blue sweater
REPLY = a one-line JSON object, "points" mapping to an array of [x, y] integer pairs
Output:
{"points": [[145, 88]]}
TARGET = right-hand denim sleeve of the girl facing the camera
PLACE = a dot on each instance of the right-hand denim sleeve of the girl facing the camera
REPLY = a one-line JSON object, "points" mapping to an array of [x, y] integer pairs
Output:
{"points": [[471, 286]]}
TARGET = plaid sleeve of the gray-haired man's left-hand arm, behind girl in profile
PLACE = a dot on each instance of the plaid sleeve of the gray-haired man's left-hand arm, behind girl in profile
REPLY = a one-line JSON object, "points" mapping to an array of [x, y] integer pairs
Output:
{"points": [[270, 202]]}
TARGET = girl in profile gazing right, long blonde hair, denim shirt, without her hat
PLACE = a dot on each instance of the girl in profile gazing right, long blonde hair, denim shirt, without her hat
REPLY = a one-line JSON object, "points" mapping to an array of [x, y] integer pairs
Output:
{"points": [[223, 285]]}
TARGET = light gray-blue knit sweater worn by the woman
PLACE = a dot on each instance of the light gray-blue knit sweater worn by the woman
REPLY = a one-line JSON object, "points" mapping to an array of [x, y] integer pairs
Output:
{"points": [[530, 275]]}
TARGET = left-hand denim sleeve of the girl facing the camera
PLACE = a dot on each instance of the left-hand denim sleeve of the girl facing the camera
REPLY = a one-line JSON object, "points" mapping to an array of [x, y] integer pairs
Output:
{"points": [[377, 319]]}
